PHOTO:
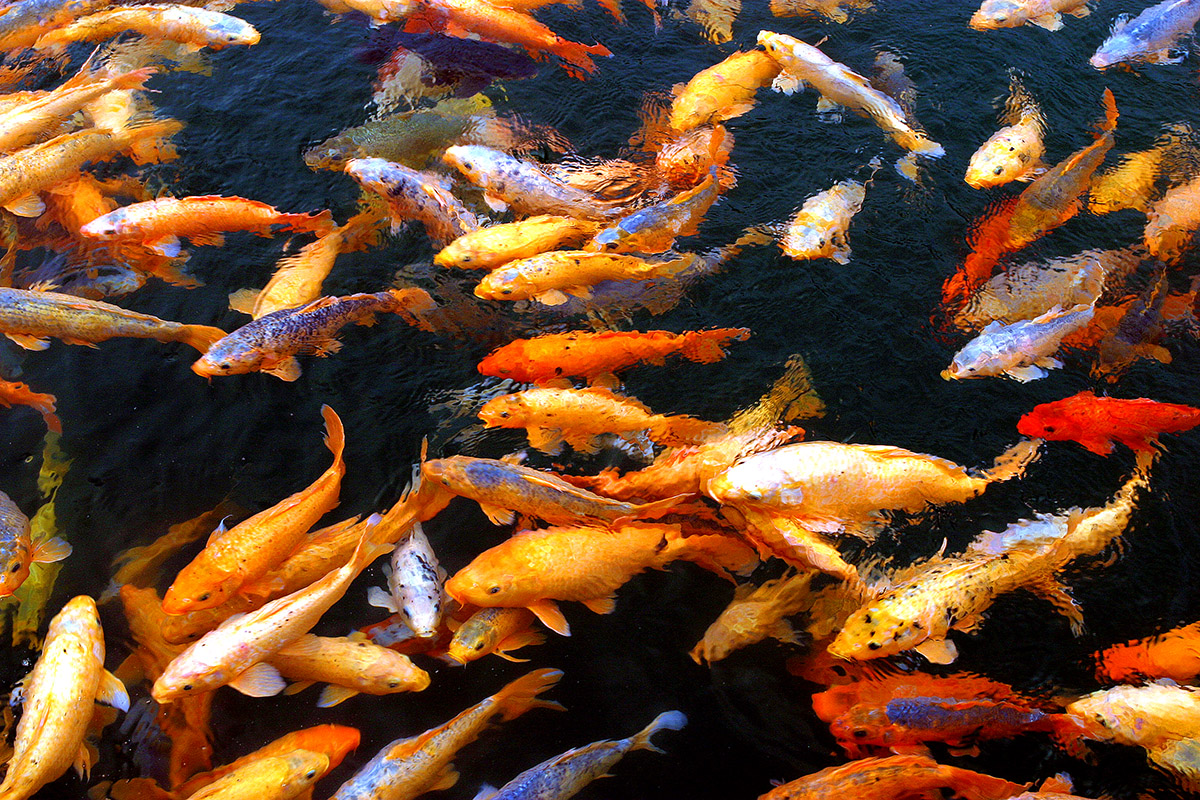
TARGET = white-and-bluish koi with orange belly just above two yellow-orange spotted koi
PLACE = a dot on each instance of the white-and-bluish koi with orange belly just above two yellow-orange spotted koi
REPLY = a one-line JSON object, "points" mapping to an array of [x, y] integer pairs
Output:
{"points": [[511, 182]]}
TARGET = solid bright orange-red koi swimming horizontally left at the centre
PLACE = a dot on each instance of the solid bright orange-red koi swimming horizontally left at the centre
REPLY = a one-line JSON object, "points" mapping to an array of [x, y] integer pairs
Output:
{"points": [[590, 356]]}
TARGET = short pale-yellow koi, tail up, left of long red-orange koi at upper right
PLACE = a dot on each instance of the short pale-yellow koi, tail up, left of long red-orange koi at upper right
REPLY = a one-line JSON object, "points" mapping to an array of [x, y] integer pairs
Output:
{"points": [[1013, 153]]}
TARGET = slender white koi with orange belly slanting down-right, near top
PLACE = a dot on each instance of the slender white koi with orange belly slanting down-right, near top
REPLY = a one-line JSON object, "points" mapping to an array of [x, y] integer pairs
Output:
{"points": [[841, 86]]}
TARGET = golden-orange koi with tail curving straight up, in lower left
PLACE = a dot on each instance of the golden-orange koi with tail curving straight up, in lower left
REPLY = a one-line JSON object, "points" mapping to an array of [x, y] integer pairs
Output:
{"points": [[249, 550]]}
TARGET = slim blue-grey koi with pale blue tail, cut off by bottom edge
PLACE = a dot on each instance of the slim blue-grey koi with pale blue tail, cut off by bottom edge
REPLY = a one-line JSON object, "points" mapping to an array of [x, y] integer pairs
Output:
{"points": [[563, 777]]}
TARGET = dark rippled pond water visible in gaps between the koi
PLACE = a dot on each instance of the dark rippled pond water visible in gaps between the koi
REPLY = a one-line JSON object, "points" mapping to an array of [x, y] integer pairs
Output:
{"points": [[155, 446]]}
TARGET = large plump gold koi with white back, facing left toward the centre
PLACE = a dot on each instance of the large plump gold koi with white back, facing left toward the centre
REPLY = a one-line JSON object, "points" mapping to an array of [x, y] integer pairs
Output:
{"points": [[831, 488]]}
